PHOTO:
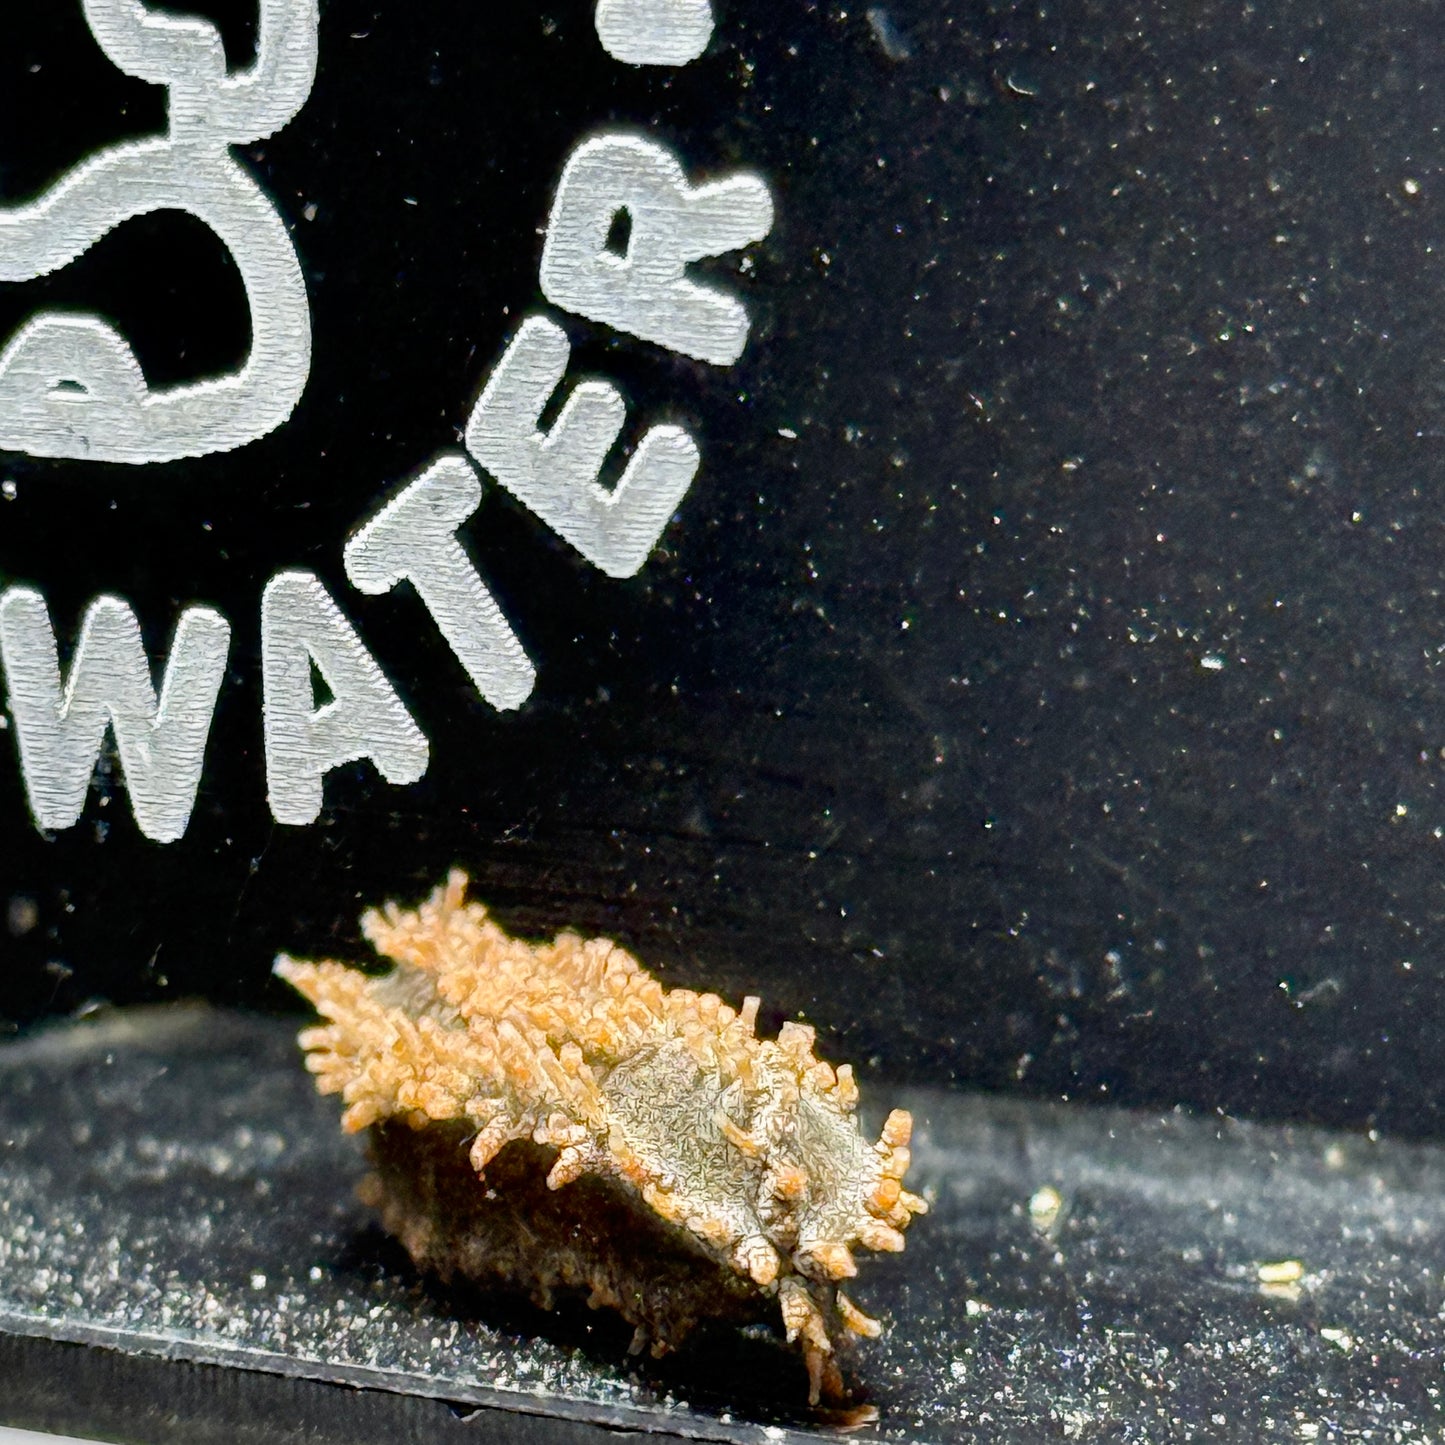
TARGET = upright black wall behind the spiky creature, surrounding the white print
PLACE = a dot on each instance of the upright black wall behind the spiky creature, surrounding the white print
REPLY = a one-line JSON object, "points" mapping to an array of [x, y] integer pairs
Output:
{"points": [[1058, 712]]}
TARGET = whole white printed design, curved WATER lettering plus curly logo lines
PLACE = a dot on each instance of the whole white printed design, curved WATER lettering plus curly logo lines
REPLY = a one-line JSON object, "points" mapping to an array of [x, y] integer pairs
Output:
{"points": [[70, 387]]}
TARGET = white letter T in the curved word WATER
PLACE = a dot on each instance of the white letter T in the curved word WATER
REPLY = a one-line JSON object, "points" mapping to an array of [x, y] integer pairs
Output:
{"points": [[414, 538]]}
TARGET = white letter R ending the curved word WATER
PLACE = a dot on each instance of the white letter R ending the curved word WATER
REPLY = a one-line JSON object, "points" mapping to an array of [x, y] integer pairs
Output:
{"points": [[647, 291]]}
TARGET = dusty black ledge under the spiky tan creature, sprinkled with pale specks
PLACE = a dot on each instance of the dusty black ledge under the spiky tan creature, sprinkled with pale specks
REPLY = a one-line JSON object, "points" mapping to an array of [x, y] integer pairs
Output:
{"points": [[177, 1202]]}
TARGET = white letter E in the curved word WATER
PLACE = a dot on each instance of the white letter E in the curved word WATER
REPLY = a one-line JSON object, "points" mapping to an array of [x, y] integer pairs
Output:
{"points": [[556, 473]]}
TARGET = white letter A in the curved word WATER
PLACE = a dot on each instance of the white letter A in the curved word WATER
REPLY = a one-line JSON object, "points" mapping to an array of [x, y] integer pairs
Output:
{"points": [[303, 628]]}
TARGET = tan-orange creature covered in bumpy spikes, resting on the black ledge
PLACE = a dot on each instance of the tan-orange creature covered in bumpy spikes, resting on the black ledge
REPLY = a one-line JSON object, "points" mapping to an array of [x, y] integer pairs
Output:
{"points": [[749, 1145]]}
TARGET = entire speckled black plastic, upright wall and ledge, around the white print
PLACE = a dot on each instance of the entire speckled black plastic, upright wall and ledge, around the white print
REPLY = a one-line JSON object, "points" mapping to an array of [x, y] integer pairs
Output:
{"points": [[1038, 691]]}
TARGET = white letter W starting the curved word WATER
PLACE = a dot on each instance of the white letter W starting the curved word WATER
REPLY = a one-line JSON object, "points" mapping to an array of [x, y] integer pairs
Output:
{"points": [[61, 726]]}
